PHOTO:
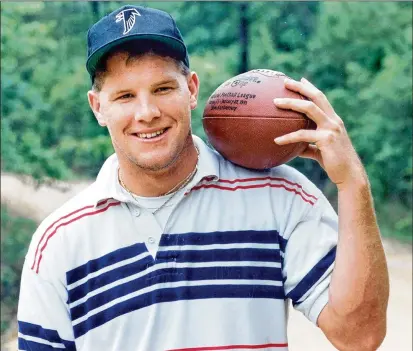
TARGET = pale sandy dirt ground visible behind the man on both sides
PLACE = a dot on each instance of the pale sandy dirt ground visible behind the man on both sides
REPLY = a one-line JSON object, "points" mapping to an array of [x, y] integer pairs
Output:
{"points": [[24, 198]]}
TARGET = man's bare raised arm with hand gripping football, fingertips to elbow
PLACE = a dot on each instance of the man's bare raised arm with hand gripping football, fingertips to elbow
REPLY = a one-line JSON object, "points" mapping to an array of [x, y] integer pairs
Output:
{"points": [[355, 315]]}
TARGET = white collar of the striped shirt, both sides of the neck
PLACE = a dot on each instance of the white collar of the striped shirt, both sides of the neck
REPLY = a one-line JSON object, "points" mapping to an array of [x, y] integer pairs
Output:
{"points": [[107, 182]]}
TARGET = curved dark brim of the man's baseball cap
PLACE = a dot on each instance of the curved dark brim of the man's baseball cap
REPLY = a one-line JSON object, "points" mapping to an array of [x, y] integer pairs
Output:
{"points": [[176, 46]]}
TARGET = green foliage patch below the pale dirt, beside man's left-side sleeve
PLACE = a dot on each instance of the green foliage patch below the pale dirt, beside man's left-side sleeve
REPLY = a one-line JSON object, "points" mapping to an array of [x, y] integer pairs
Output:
{"points": [[15, 236]]}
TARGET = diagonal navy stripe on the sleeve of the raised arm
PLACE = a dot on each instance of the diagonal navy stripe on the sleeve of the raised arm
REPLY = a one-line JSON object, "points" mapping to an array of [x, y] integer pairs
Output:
{"points": [[312, 277]]}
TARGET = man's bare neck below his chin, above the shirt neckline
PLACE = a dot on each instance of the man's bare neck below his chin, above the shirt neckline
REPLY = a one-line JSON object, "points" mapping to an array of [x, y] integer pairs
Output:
{"points": [[149, 183]]}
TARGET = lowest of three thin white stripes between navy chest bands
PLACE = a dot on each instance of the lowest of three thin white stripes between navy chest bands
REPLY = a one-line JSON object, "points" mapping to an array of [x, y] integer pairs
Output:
{"points": [[175, 285]]}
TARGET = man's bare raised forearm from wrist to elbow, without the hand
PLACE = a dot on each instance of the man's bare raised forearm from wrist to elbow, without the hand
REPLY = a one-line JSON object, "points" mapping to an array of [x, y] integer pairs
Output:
{"points": [[355, 316]]}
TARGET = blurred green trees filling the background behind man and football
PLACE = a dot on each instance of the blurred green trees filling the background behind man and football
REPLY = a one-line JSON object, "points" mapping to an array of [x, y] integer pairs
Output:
{"points": [[358, 54]]}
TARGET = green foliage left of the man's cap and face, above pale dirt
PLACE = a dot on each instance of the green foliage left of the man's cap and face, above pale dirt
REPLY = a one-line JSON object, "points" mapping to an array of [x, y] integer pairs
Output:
{"points": [[44, 86]]}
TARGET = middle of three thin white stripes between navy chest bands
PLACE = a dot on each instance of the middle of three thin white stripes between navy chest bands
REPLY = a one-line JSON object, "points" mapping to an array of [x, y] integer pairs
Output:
{"points": [[174, 265]]}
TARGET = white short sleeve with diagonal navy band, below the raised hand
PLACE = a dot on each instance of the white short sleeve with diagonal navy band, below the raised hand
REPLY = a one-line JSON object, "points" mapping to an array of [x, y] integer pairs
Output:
{"points": [[309, 259]]}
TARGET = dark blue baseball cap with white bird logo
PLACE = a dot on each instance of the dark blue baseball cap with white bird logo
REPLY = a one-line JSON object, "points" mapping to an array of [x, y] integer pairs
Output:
{"points": [[135, 23]]}
